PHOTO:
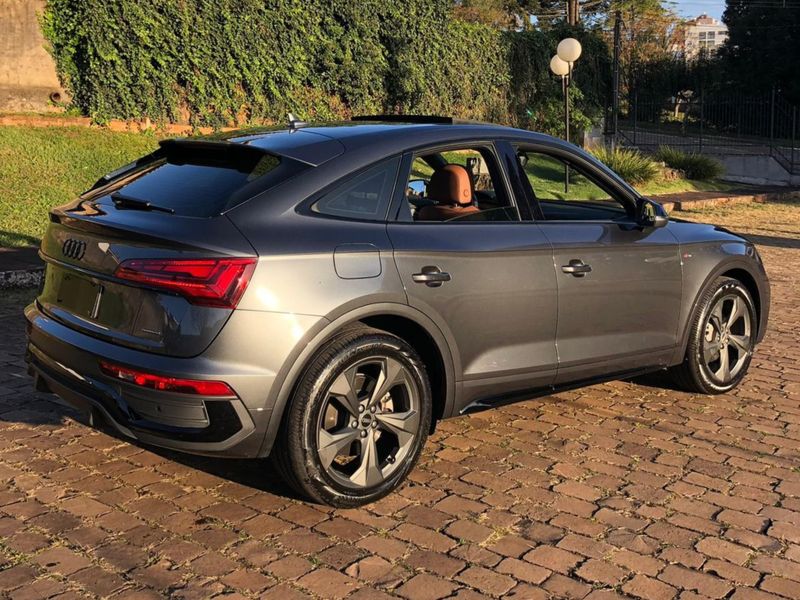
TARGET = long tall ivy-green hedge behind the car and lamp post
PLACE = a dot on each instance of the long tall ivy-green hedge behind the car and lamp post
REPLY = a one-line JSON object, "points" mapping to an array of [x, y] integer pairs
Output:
{"points": [[221, 62]]}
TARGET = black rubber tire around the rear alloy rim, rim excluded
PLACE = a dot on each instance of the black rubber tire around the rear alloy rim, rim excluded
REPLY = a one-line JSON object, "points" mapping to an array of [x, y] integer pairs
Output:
{"points": [[310, 399]]}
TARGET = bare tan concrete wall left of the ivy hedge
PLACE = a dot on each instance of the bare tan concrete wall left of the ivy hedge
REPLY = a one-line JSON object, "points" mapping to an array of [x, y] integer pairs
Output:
{"points": [[27, 73]]}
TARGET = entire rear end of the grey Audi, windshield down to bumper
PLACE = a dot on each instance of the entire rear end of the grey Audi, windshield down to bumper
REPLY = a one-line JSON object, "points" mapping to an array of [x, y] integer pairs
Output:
{"points": [[136, 320]]}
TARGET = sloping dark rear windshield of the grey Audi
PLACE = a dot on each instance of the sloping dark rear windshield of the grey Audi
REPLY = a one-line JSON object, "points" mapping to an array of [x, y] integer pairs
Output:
{"points": [[202, 180]]}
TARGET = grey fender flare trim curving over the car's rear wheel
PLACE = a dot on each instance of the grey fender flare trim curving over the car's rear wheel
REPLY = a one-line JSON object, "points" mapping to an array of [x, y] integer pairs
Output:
{"points": [[310, 344]]}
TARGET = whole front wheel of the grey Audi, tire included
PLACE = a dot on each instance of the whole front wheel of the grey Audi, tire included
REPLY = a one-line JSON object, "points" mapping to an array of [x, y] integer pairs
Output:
{"points": [[702, 369]]}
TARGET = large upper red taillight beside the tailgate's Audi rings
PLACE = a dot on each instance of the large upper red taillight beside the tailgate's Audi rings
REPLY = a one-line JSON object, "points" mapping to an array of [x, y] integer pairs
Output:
{"points": [[208, 281]]}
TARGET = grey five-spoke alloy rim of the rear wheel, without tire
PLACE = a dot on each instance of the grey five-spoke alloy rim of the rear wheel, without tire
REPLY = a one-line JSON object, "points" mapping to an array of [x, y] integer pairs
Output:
{"points": [[368, 422]]}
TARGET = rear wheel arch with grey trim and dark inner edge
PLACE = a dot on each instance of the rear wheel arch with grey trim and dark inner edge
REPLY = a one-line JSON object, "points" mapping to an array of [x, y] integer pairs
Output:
{"points": [[398, 319]]}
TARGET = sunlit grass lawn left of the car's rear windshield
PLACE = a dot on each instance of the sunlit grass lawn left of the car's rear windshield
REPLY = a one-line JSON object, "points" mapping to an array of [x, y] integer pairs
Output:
{"points": [[44, 167]]}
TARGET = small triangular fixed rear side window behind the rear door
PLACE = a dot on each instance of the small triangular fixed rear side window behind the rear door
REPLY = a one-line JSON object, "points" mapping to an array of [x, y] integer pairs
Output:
{"points": [[365, 196]]}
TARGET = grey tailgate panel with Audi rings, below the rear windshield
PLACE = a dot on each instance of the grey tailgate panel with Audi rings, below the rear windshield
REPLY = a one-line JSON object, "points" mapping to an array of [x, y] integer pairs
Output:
{"points": [[84, 246]]}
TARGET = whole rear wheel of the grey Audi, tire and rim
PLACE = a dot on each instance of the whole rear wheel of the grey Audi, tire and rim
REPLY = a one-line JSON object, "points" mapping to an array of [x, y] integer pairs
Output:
{"points": [[357, 420]]}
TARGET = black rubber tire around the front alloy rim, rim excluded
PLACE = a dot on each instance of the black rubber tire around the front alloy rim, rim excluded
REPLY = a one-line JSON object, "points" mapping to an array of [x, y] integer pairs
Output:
{"points": [[699, 370]]}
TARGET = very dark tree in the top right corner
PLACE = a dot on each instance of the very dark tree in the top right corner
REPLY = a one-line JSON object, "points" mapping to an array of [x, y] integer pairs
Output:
{"points": [[762, 49]]}
